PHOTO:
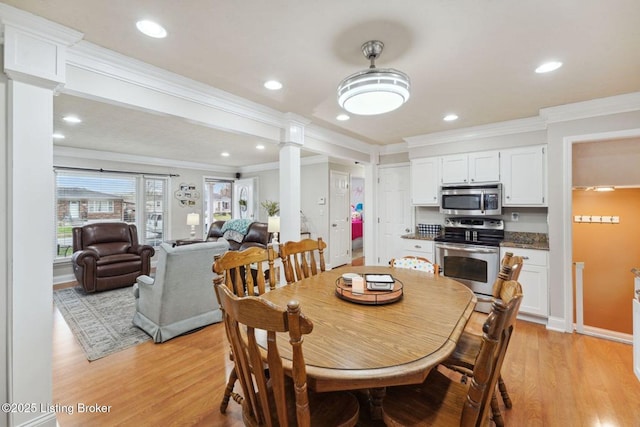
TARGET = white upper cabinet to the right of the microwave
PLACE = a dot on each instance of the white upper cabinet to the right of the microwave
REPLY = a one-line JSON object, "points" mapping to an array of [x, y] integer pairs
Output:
{"points": [[524, 176]]}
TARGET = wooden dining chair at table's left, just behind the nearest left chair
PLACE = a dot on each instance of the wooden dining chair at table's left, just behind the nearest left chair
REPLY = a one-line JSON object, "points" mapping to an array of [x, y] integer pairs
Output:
{"points": [[236, 269]]}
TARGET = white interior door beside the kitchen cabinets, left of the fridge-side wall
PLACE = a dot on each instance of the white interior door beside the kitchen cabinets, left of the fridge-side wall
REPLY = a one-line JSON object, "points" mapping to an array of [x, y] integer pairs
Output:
{"points": [[394, 212]]}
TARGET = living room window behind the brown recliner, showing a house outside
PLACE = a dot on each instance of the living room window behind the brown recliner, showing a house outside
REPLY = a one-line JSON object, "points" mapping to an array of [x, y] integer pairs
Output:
{"points": [[88, 197]]}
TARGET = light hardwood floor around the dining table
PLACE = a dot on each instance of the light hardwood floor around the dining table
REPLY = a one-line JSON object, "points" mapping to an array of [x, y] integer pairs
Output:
{"points": [[554, 379]]}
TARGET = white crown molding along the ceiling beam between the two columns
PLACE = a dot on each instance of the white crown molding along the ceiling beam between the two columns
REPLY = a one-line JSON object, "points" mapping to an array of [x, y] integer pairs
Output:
{"points": [[99, 60]]}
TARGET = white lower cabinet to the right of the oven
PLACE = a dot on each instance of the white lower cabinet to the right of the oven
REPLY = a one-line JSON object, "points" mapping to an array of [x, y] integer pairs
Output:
{"points": [[534, 280]]}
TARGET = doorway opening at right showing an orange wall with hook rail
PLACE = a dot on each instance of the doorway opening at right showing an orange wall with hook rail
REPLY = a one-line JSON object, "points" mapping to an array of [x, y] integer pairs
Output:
{"points": [[603, 234]]}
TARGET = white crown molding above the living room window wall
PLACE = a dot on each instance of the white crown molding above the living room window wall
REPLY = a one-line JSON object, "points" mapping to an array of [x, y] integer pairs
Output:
{"points": [[80, 153]]}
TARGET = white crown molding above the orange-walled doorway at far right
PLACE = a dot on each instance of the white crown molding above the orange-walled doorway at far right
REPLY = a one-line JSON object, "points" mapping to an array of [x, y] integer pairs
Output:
{"points": [[592, 108]]}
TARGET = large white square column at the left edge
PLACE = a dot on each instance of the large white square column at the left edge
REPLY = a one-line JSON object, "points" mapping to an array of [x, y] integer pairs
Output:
{"points": [[34, 65]]}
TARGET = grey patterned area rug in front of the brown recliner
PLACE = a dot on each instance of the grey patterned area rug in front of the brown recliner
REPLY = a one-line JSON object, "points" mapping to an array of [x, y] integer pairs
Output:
{"points": [[101, 322]]}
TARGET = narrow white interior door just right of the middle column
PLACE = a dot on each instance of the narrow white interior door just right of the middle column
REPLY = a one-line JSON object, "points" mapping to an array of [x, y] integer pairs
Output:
{"points": [[340, 233]]}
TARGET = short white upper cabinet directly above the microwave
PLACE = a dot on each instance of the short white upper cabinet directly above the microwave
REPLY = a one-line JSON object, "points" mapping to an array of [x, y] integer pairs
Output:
{"points": [[471, 168]]}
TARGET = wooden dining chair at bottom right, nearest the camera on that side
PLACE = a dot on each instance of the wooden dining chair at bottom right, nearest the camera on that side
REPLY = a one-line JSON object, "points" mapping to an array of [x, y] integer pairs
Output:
{"points": [[442, 401]]}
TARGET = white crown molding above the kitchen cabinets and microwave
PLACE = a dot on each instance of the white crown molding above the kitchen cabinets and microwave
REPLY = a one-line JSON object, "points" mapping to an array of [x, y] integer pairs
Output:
{"points": [[530, 124]]}
